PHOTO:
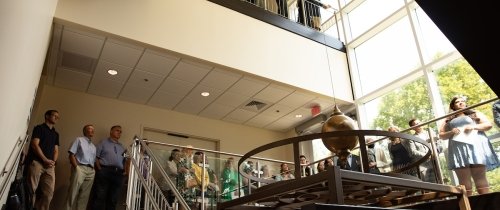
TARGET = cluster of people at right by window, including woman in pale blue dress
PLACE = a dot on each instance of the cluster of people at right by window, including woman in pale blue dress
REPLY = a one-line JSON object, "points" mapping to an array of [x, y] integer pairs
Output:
{"points": [[469, 152]]}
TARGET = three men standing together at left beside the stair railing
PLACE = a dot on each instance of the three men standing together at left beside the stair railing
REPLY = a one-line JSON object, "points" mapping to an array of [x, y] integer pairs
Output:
{"points": [[101, 168]]}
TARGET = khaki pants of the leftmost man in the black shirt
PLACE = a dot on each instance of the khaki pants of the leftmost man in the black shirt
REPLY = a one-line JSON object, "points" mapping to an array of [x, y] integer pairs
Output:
{"points": [[43, 179]]}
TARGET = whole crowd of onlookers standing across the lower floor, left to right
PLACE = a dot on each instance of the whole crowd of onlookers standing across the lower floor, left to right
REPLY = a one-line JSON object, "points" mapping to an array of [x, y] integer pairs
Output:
{"points": [[104, 167]]}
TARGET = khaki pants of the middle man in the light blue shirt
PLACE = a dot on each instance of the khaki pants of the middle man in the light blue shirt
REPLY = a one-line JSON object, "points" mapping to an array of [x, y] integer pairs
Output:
{"points": [[81, 180]]}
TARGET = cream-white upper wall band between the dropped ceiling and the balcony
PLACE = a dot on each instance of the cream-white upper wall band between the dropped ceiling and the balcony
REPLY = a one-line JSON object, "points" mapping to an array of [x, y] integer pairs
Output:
{"points": [[216, 34]]}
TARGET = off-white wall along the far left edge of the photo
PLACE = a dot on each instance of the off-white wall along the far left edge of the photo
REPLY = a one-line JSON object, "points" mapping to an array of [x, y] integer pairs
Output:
{"points": [[25, 31]]}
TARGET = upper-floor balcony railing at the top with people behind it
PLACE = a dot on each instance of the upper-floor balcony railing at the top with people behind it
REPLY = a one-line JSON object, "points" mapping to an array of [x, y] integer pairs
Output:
{"points": [[308, 18]]}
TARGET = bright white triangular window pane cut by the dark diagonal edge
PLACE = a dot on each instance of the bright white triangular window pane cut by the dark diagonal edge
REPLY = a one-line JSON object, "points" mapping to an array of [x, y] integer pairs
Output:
{"points": [[434, 43]]}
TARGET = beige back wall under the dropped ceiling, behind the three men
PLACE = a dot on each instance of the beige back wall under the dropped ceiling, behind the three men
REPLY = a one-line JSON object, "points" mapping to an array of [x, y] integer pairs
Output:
{"points": [[77, 109]]}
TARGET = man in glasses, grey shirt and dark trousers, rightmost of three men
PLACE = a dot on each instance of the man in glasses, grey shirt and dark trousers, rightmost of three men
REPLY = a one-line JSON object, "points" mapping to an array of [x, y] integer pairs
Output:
{"points": [[110, 164]]}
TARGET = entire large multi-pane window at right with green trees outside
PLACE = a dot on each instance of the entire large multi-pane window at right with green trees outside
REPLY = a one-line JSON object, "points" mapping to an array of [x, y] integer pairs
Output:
{"points": [[403, 67]]}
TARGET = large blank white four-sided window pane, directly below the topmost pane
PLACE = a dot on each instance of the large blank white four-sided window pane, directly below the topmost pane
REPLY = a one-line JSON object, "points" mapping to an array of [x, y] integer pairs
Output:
{"points": [[392, 52]]}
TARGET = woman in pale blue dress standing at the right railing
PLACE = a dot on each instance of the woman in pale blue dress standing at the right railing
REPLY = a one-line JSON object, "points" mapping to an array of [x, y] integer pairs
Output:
{"points": [[470, 153]]}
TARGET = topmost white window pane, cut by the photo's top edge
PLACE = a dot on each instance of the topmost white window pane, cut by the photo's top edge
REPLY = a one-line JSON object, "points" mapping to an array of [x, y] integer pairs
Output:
{"points": [[370, 13]]}
